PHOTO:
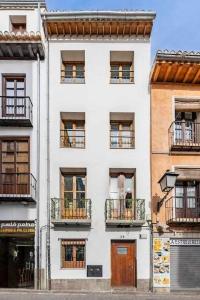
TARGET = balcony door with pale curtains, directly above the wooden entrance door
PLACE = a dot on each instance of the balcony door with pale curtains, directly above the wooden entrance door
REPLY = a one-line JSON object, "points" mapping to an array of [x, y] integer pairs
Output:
{"points": [[121, 196]]}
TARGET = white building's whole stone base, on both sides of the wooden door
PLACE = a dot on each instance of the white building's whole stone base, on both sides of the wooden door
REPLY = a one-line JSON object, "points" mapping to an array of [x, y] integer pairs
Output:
{"points": [[92, 285]]}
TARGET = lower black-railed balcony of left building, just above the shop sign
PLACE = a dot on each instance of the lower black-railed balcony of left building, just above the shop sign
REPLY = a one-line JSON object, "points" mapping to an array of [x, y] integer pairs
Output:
{"points": [[17, 187]]}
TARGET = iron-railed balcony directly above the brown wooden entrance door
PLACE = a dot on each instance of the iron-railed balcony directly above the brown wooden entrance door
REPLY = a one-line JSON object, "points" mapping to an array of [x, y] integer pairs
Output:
{"points": [[128, 212]]}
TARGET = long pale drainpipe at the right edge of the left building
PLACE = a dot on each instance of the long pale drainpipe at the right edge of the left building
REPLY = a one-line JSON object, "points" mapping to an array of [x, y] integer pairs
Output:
{"points": [[38, 163]]}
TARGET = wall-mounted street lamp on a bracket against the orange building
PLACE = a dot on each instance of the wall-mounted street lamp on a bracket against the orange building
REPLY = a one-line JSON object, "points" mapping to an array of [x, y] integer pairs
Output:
{"points": [[167, 183]]}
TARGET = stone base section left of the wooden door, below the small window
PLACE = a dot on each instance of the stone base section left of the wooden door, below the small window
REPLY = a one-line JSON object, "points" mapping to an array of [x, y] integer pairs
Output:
{"points": [[81, 284]]}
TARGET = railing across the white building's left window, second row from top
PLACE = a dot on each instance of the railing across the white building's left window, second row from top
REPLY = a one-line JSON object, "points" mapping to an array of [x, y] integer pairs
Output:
{"points": [[70, 138]]}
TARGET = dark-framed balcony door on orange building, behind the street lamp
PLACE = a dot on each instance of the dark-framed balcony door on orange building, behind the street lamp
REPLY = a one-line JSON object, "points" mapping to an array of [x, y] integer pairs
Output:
{"points": [[187, 199]]}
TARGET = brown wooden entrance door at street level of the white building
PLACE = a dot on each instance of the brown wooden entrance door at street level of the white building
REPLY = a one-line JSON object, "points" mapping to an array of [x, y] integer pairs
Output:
{"points": [[123, 263]]}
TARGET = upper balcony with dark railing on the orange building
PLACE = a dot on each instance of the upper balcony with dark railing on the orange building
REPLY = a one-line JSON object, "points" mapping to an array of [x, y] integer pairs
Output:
{"points": [[184, 136]]}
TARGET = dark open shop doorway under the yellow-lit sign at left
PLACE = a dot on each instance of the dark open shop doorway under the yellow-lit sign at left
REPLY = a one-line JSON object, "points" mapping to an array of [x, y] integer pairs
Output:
{"points": [[16, 262]]}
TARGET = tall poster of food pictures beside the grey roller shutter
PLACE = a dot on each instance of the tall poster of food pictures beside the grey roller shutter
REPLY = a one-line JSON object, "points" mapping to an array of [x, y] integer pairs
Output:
{"points": [[161, 262]]}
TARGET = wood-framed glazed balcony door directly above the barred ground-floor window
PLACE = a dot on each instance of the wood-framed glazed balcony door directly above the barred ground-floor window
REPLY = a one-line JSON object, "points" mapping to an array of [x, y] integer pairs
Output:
{"points": [[74, 203]]}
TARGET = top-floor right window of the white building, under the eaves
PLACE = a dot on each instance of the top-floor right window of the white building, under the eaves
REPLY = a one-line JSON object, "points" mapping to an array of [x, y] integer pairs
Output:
{"points": [[121, 67]]}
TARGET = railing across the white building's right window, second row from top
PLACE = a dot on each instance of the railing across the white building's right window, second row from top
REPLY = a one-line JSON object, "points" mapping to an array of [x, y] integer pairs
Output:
{"points": [[124, 139]]}
